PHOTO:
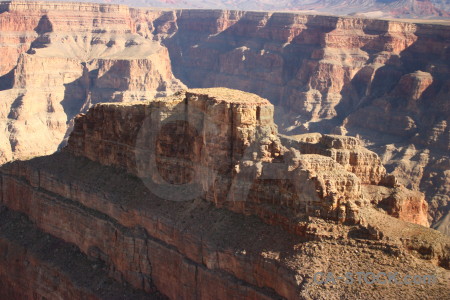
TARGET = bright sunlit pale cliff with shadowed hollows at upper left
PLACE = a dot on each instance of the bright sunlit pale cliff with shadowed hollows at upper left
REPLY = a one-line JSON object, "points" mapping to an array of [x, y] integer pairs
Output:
{"points": [[59, 59]]}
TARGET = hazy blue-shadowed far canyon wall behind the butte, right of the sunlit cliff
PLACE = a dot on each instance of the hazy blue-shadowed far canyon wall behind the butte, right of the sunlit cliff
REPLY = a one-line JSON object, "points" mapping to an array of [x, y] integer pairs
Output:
{"points": [[385, 81]]}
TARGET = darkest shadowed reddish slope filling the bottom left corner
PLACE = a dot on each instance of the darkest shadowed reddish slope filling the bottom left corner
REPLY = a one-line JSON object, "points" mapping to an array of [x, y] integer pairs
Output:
{"points": [[35, 264]]}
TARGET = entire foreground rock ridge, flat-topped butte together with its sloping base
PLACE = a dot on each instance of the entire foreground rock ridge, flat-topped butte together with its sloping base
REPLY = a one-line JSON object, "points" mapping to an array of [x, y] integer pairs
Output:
{"points": [[190, 227]]}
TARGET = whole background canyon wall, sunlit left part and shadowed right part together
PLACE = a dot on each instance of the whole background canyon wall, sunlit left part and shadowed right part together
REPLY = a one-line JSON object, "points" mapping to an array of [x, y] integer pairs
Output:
{"points": [[384, 81]]}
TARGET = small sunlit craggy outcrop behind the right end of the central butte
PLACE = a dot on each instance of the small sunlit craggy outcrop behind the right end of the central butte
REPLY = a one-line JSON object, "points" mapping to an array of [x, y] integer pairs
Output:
{"points": [[347, 151]]}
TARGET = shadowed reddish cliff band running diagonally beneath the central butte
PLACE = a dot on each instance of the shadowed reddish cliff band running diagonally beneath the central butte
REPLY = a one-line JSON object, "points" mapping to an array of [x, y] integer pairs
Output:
{"points": [[143, 241]]}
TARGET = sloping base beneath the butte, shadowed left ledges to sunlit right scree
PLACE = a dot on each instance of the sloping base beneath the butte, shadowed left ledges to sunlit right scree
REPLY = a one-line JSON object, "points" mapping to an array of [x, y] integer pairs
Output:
{"points": [[191, 249]]}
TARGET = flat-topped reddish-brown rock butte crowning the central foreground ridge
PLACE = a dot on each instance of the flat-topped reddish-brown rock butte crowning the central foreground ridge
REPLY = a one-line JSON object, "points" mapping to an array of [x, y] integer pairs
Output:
{"points": [[223, 146]]}
